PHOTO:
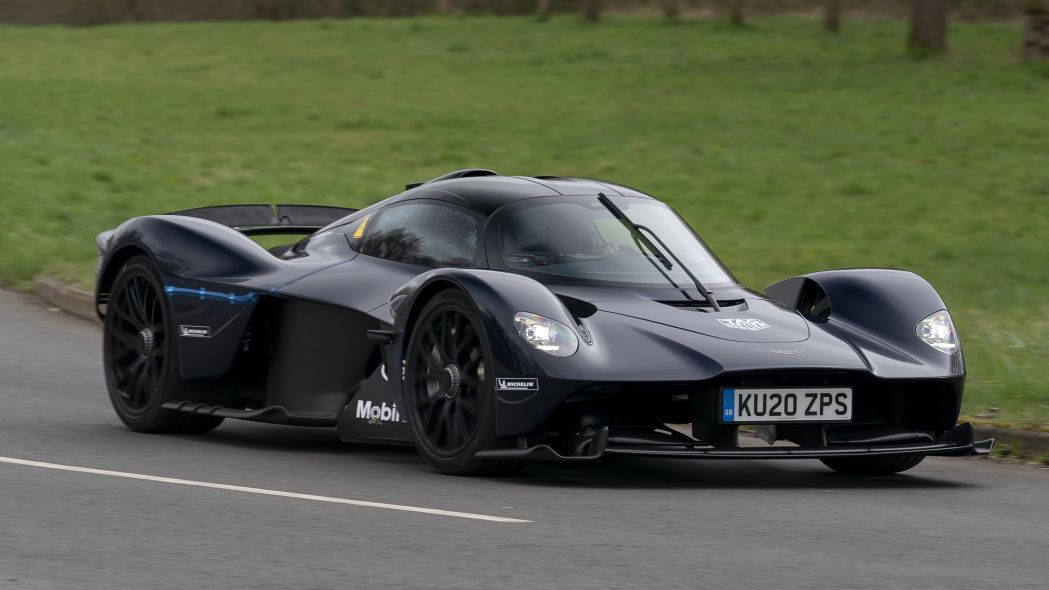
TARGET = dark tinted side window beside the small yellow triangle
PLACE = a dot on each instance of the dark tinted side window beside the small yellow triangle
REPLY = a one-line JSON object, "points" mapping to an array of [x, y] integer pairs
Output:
{"points": [[424, 235]]}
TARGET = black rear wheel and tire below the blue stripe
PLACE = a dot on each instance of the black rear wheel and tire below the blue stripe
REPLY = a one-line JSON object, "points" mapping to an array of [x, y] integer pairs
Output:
{"points": [[141, 356]]}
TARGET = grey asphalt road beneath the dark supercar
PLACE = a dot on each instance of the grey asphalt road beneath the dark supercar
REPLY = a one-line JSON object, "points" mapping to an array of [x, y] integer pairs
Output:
{"points": [[950, 523]]}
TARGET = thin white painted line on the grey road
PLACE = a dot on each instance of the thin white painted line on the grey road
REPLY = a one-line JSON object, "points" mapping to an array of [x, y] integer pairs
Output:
{"points": [[262, 492]]}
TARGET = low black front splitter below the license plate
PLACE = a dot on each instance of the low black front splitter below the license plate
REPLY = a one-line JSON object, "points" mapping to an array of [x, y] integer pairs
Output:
{"points": [[960, 441]]}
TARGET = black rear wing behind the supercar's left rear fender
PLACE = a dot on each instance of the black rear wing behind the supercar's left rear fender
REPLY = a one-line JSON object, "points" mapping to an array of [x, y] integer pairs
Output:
{"points": [[270, 220]]}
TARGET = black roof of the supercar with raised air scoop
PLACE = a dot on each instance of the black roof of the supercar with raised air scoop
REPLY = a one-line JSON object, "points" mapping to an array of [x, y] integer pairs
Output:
{"points": [[488, 192]]}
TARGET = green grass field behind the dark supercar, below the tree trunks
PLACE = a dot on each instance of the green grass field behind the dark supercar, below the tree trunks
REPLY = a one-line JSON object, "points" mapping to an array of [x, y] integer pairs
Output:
{"points": [[789, 151]]}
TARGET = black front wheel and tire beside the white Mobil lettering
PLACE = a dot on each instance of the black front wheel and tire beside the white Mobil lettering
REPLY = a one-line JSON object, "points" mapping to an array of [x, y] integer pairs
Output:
{"points": [[451, 402]]}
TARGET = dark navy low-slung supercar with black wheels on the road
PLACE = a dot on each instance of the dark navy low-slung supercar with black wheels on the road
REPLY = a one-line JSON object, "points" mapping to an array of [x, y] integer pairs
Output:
{"points": [[494, 321]]}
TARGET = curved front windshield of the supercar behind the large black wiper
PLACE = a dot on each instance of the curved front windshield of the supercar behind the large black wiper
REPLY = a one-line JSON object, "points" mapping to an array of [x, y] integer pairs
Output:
{"points": [[577, 239]]}
